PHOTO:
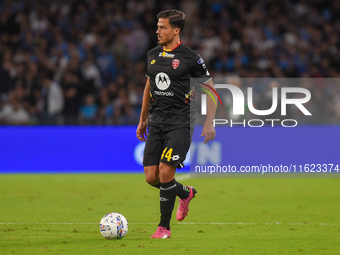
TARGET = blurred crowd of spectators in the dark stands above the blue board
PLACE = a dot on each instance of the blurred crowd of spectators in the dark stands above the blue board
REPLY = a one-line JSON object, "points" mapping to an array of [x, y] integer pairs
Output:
{"points": [[70, 62]]}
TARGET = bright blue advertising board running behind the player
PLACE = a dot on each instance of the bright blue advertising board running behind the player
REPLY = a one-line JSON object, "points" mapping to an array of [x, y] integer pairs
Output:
{"points": [[115, 149]]}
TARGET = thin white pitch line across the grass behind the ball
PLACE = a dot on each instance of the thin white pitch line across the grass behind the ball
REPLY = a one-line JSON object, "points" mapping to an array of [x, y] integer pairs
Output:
{"points": [[180, 223]]}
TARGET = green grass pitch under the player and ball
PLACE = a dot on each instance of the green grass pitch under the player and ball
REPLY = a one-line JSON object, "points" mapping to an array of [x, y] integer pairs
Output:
{"points": [[60, 214]]}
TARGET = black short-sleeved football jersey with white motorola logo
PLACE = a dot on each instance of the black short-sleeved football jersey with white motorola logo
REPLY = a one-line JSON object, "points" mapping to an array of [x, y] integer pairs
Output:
{"points": [[171, 101]]}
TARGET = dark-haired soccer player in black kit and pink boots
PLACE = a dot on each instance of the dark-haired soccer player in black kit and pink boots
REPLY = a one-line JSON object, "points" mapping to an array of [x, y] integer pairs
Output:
{"points": [[166, 113]]}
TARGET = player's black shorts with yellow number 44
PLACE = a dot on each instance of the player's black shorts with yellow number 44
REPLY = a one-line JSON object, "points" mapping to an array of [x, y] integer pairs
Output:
{"points": [[169, 146]]}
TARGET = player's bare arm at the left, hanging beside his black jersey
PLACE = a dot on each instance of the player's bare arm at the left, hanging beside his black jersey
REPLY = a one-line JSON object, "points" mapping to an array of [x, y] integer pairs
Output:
{"points": [[141, 132]]}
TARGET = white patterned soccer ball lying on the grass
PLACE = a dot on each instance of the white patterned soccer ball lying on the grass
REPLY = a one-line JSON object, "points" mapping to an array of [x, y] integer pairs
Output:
{"points": [[113, 226]]}
